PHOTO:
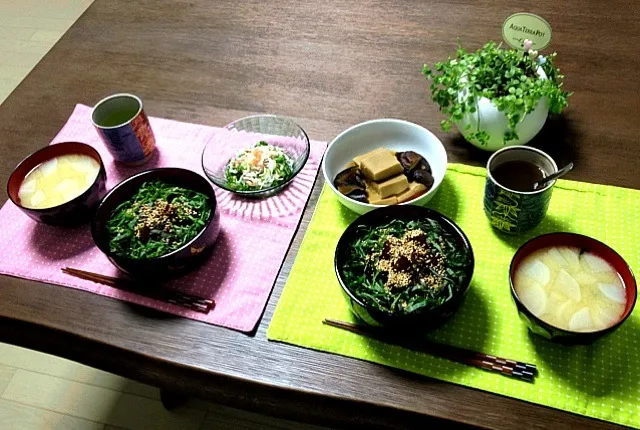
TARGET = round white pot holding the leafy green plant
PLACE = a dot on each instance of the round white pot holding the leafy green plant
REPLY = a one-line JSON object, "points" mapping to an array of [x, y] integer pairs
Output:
{"points": [[496, 124]]}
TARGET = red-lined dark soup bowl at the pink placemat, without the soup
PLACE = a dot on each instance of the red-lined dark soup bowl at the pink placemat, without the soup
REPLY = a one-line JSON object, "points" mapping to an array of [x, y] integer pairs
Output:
{"points": [[74, 212]]}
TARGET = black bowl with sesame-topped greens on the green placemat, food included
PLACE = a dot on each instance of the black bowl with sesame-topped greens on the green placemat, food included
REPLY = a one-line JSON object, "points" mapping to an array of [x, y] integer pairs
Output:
{"points": [[404, 267]]}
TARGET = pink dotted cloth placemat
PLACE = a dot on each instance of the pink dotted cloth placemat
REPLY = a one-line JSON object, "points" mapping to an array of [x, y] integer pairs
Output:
{"points": [[246, 259]]}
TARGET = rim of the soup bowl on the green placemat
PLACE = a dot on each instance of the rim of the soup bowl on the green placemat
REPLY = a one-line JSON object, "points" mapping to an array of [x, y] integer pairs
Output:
{"points": [[564, 332]]}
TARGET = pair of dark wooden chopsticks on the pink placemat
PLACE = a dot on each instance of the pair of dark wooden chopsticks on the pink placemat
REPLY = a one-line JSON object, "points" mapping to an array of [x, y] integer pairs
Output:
{"points": [[177, 298]]}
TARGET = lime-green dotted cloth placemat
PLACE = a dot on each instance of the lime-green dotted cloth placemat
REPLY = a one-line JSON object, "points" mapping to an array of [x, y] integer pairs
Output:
{"points": [[600, 381]]}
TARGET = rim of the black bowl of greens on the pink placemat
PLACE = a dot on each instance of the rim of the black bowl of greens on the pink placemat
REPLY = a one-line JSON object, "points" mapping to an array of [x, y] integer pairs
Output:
{"points": [[108, 253]]}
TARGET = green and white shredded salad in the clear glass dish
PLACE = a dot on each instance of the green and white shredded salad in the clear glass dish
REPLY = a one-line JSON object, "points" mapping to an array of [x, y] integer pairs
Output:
{"points": [[259, 167]]}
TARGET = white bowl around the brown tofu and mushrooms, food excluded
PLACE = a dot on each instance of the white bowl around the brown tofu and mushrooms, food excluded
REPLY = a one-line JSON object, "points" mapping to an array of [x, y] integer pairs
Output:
{"points": [[393, 134]]}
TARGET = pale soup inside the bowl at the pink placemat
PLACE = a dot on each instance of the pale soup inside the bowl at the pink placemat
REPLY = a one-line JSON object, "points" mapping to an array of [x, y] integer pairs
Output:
{"points": [[58, 181]]}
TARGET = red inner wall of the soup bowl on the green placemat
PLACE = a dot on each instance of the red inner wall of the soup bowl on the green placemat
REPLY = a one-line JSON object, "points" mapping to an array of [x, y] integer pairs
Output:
{"points": [[591, 245]]}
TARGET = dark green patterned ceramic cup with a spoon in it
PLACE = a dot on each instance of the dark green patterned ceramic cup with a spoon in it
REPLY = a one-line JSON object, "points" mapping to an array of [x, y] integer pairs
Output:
{"points": [[511, 211]]}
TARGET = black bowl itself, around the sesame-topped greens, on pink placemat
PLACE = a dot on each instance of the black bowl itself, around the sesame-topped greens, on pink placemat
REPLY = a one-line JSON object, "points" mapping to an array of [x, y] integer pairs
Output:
{"points": [[176, 262]]}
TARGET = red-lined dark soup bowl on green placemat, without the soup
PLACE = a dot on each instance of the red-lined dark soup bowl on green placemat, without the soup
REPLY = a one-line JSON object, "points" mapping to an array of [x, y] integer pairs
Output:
{"points": [[588, 244]]}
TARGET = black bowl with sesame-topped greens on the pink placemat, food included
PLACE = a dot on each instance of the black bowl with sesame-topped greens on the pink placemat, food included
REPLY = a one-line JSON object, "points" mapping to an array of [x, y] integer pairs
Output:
{"points": [[158, 222]]}
